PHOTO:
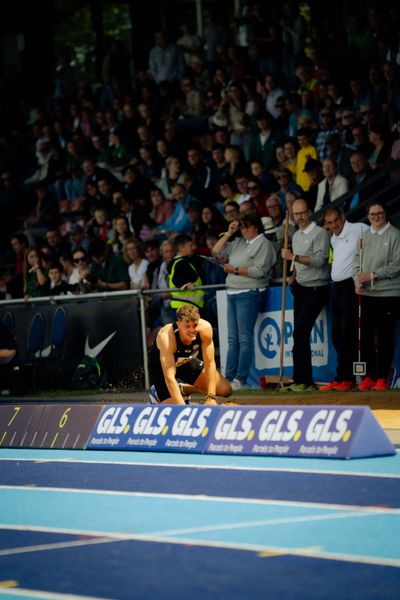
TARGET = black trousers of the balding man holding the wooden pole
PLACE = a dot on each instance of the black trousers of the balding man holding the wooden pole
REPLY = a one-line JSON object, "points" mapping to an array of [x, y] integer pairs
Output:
{"points": [[308, 303]]}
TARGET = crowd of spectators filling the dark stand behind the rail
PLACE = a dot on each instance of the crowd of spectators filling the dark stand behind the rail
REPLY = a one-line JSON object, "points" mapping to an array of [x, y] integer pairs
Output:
{"points": [[94, 183]]}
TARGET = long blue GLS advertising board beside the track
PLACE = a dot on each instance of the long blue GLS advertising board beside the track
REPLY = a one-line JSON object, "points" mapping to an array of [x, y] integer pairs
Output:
{"points": [[307, 431]]}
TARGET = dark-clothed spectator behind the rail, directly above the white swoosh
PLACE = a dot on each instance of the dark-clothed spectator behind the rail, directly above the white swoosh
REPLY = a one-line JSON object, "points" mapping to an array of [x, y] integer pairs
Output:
{"points": [[107, 272]]}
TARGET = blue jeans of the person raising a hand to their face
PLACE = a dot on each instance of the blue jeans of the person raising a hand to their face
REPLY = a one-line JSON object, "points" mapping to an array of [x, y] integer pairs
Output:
{"points": [[243, 311]]}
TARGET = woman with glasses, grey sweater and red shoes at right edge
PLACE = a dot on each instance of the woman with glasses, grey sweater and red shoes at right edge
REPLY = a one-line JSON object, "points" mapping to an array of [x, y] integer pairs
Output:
{"points": [[376, 273]]}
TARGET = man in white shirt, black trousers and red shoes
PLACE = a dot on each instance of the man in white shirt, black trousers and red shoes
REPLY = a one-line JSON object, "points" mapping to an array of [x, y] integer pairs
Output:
{"points": [[344, 241]]}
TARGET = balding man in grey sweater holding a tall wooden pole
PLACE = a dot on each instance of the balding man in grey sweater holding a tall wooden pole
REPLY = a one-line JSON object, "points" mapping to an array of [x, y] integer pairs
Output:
{"points": [[310, 287]]}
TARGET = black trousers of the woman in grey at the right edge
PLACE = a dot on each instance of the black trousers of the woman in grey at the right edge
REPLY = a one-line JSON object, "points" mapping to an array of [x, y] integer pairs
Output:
{"points": [[379, 317]]}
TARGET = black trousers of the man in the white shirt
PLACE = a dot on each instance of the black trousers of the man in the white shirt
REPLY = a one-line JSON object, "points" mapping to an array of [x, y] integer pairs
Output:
{"points": [[344, 327]]}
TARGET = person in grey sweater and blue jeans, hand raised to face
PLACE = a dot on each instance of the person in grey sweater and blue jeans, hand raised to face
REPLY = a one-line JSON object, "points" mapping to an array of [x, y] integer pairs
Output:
{"points": [[251, 258]]}
